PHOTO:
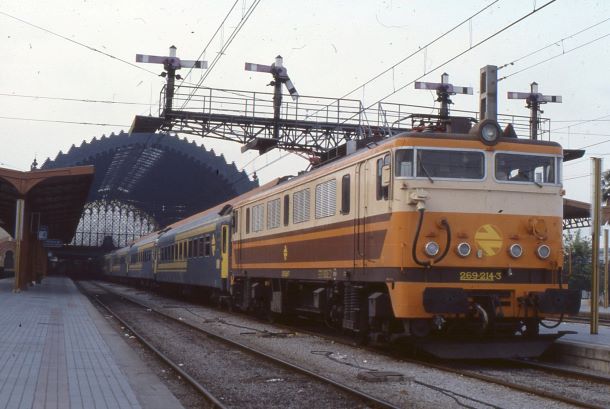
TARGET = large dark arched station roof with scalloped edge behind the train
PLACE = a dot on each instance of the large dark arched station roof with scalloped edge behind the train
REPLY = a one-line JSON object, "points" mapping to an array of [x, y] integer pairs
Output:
{"points": [[163, 176]]}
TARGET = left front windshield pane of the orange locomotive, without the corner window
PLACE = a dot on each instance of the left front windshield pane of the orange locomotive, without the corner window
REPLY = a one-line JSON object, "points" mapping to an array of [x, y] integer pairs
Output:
{"points": [[450, 164]]}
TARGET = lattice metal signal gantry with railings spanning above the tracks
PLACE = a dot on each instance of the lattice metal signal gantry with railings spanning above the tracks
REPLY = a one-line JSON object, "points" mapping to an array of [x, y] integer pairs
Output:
{"points": [[313, 125]]}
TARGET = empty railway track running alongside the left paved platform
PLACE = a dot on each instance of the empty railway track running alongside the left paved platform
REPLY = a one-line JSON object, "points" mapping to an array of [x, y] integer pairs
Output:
{"points": [[324, 390]]}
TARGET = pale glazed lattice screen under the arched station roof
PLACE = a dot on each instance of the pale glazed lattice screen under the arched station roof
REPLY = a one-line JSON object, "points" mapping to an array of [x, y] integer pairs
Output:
{"points": [[123, 222]]}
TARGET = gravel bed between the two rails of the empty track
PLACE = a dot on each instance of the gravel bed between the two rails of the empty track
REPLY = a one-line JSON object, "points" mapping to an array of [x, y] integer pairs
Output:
{"points": [[236, 378]]}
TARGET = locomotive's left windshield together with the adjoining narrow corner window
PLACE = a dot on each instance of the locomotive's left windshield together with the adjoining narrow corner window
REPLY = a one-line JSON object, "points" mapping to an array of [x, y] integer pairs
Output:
{"points": [[440, 163]]}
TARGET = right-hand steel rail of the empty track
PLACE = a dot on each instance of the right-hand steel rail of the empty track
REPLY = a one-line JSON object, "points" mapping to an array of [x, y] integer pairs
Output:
{"points": [[379, 403]]}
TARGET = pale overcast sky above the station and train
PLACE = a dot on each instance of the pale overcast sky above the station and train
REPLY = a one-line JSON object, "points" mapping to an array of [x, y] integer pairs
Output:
{"points": [[329, 48]]}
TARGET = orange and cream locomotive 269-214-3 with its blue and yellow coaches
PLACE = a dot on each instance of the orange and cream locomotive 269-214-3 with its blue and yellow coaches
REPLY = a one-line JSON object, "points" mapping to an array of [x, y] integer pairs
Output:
{"points": [[450, 238]]}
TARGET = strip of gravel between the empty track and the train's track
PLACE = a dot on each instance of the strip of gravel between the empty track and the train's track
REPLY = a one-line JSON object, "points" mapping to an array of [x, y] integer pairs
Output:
{"points": [[421, 387]]}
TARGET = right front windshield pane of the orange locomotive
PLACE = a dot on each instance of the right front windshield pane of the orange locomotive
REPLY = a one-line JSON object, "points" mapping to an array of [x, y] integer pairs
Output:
{"points": [[537, 169]]}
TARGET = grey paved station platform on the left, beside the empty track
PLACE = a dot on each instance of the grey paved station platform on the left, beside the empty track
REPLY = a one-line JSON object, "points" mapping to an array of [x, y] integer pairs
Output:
{"points": [[58, 351]]}
